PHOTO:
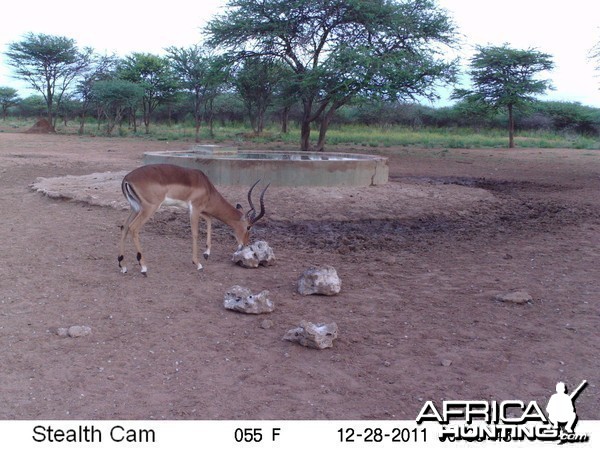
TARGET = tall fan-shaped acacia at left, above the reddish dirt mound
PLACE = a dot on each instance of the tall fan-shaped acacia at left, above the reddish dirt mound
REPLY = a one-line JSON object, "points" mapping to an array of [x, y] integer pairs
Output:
{"points": [[49, 64]]}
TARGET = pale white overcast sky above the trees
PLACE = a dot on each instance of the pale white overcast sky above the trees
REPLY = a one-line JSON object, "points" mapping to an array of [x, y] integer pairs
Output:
{"points": [[567, 30]]}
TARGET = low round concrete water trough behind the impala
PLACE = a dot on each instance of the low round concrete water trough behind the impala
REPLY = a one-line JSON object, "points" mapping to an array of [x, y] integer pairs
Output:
{"points": [[230, 166]]}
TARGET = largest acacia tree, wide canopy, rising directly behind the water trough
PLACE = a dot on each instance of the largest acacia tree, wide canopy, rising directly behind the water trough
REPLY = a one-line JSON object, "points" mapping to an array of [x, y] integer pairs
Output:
{"points": [[338, 49]]}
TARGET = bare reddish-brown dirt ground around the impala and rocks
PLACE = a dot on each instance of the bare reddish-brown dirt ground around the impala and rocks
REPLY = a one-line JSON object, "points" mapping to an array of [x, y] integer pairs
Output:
{"points": [[421, 260]]}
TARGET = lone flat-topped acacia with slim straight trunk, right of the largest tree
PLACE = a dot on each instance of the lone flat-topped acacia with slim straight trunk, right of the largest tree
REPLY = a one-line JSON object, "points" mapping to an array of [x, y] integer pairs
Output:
{"points": [[504, 77]]}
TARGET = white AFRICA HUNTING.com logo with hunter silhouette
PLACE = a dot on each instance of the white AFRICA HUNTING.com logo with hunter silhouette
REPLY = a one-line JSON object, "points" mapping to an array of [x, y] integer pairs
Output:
{"points": [[510, 420]]}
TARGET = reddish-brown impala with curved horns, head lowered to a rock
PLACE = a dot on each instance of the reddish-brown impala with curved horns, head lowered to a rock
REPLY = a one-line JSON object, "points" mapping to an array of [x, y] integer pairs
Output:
{"points": [[148, 187]]}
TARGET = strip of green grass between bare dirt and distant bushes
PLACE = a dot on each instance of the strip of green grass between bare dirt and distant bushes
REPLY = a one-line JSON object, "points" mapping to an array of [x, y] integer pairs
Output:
{"points": [[368, 137]]}
